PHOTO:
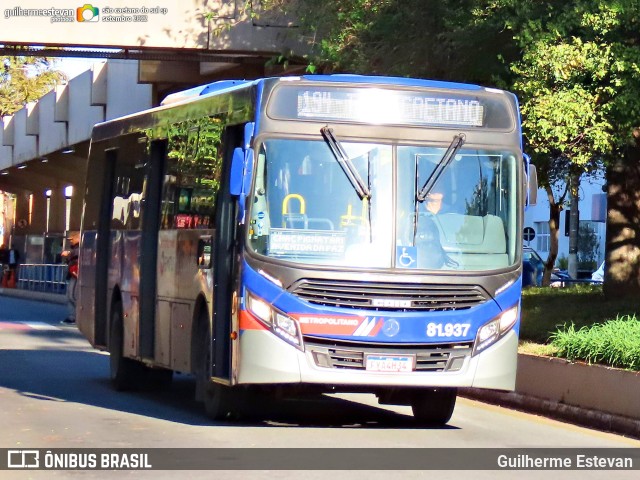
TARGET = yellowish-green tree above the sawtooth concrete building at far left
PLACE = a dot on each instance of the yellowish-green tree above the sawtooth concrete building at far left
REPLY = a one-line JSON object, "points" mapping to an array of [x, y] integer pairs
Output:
{"points": [[24, 79]]}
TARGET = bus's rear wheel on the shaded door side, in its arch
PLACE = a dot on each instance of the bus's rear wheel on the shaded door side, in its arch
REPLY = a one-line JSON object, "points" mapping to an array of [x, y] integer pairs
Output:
{"points": [[125, 373]]}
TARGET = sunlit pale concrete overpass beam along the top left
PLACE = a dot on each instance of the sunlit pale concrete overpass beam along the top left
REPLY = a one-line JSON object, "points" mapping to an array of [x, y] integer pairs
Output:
{"points": [[195, 24]]}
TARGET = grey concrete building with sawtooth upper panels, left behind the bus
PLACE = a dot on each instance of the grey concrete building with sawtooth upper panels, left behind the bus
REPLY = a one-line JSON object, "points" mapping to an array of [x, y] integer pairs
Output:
{"points": [[44, 146]]}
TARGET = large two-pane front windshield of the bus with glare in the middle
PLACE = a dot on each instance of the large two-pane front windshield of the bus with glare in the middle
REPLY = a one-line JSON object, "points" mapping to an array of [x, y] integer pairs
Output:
{"points": [[305, 209]]}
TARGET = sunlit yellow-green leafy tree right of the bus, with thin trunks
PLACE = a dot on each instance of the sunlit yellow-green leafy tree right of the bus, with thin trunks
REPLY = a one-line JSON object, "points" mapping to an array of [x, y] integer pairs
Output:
{"points": [[578, 82]]}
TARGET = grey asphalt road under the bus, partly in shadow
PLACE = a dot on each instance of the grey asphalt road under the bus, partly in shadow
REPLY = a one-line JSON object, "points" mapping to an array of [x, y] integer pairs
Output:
{"points": [[55, 393]]}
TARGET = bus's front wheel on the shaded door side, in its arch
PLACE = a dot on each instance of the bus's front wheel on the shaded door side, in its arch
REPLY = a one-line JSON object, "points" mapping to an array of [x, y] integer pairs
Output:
{"points": [[217, 398]]}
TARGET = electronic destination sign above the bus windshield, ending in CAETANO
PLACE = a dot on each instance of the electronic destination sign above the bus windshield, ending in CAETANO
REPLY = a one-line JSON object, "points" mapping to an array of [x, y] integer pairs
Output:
{"points": [[390, 107]]}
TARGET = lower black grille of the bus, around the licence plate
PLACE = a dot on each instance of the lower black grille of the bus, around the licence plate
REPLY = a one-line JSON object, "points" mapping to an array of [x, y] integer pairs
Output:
{"points": [[431, 358]]}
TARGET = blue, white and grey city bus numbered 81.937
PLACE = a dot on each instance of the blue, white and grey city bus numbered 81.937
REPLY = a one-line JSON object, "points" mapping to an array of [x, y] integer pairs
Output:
{"points": [[333, 233]]}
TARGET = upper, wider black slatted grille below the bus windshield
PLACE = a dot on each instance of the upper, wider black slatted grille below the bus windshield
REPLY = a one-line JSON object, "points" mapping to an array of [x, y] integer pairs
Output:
{"points": [[389, 296]]}
